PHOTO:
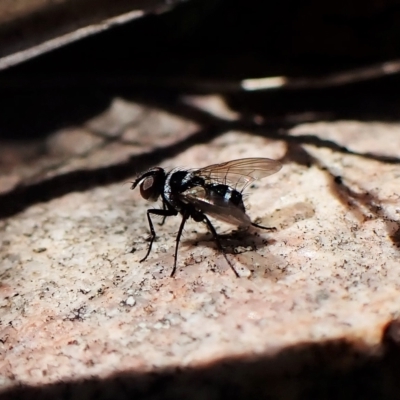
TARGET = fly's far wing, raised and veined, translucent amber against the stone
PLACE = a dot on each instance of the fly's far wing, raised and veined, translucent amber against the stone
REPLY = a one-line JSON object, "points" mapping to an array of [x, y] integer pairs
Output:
{"points": [[240, 173]]}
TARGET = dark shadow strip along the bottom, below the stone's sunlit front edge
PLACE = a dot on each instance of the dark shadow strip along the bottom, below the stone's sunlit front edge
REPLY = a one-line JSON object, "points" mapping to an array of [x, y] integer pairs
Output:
{"points": [[322, 371]]}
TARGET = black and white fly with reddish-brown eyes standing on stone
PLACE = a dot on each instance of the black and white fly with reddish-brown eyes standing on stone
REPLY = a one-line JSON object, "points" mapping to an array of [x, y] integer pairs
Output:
{"points": [[215, 190]]}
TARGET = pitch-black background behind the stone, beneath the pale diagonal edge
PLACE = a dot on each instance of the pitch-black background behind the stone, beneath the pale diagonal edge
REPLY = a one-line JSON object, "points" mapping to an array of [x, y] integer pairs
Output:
{"points": [[219, 40]]}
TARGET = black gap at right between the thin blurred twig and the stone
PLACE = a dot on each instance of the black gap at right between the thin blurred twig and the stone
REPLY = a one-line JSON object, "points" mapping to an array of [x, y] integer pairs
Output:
{"points": [[375, 100]]}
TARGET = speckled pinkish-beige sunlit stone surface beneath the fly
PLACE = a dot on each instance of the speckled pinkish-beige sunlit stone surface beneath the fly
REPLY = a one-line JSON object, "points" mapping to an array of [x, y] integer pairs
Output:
{"points": [[77, 304]]}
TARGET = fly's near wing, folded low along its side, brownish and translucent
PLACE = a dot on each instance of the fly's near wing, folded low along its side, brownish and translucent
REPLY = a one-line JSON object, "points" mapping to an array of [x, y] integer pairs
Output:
{"points": [[216, 207]]}
